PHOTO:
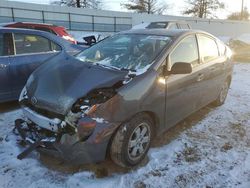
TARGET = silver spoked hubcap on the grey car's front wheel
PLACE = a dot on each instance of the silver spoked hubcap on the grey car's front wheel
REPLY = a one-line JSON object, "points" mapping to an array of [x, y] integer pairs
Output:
{"points": [[139, 141]]}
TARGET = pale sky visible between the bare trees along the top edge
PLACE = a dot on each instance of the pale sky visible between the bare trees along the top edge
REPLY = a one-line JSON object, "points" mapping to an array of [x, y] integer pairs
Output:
{"points": [[175, 6]]}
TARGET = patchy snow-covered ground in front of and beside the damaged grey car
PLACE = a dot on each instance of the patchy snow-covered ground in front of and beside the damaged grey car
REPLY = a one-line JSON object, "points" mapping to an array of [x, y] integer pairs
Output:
{"points": [[209, 149]]}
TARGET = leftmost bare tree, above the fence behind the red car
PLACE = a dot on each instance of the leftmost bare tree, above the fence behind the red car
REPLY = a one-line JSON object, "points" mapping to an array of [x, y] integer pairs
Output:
{"points": [[94, 4]]}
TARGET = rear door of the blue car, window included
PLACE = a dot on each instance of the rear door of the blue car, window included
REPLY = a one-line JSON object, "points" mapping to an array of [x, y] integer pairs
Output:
{"points": [[30, 52]]}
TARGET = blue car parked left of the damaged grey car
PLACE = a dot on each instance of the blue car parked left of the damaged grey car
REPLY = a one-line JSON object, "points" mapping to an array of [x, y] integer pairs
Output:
{"points": [[21, 52]]}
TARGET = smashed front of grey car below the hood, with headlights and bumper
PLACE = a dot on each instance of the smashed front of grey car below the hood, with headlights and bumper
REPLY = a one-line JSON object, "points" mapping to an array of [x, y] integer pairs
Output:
{"points": [[80, 136]]}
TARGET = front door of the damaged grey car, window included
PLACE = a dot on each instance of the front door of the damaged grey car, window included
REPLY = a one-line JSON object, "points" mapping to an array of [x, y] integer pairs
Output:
{"points": [[183, 91]]}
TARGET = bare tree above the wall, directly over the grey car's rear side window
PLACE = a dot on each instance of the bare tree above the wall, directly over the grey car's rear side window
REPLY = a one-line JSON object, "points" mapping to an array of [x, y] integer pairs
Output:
{"points": [[203, 8]]}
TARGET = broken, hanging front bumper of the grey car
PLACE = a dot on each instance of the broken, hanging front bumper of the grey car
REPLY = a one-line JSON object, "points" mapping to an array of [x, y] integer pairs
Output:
{"points": [[65, 146]]}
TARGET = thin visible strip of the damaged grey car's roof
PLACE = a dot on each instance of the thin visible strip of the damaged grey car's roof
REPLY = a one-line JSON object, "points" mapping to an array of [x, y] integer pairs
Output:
{"points": [[164, 32]]}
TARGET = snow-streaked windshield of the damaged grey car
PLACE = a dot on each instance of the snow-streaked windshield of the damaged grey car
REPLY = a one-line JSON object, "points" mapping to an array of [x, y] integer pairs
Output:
{"points": [[125, 51]]}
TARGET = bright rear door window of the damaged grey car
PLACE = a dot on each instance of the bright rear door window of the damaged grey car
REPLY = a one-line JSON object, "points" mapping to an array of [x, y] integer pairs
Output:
{"points": [[208, 48]]}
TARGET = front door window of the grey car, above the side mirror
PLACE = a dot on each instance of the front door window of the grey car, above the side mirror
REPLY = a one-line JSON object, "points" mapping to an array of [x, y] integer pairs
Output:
{"points": [[186, 51]]}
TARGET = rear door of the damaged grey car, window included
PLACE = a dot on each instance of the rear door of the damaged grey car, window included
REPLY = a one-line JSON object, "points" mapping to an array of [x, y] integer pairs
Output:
{"points": [[213, 66]]}
